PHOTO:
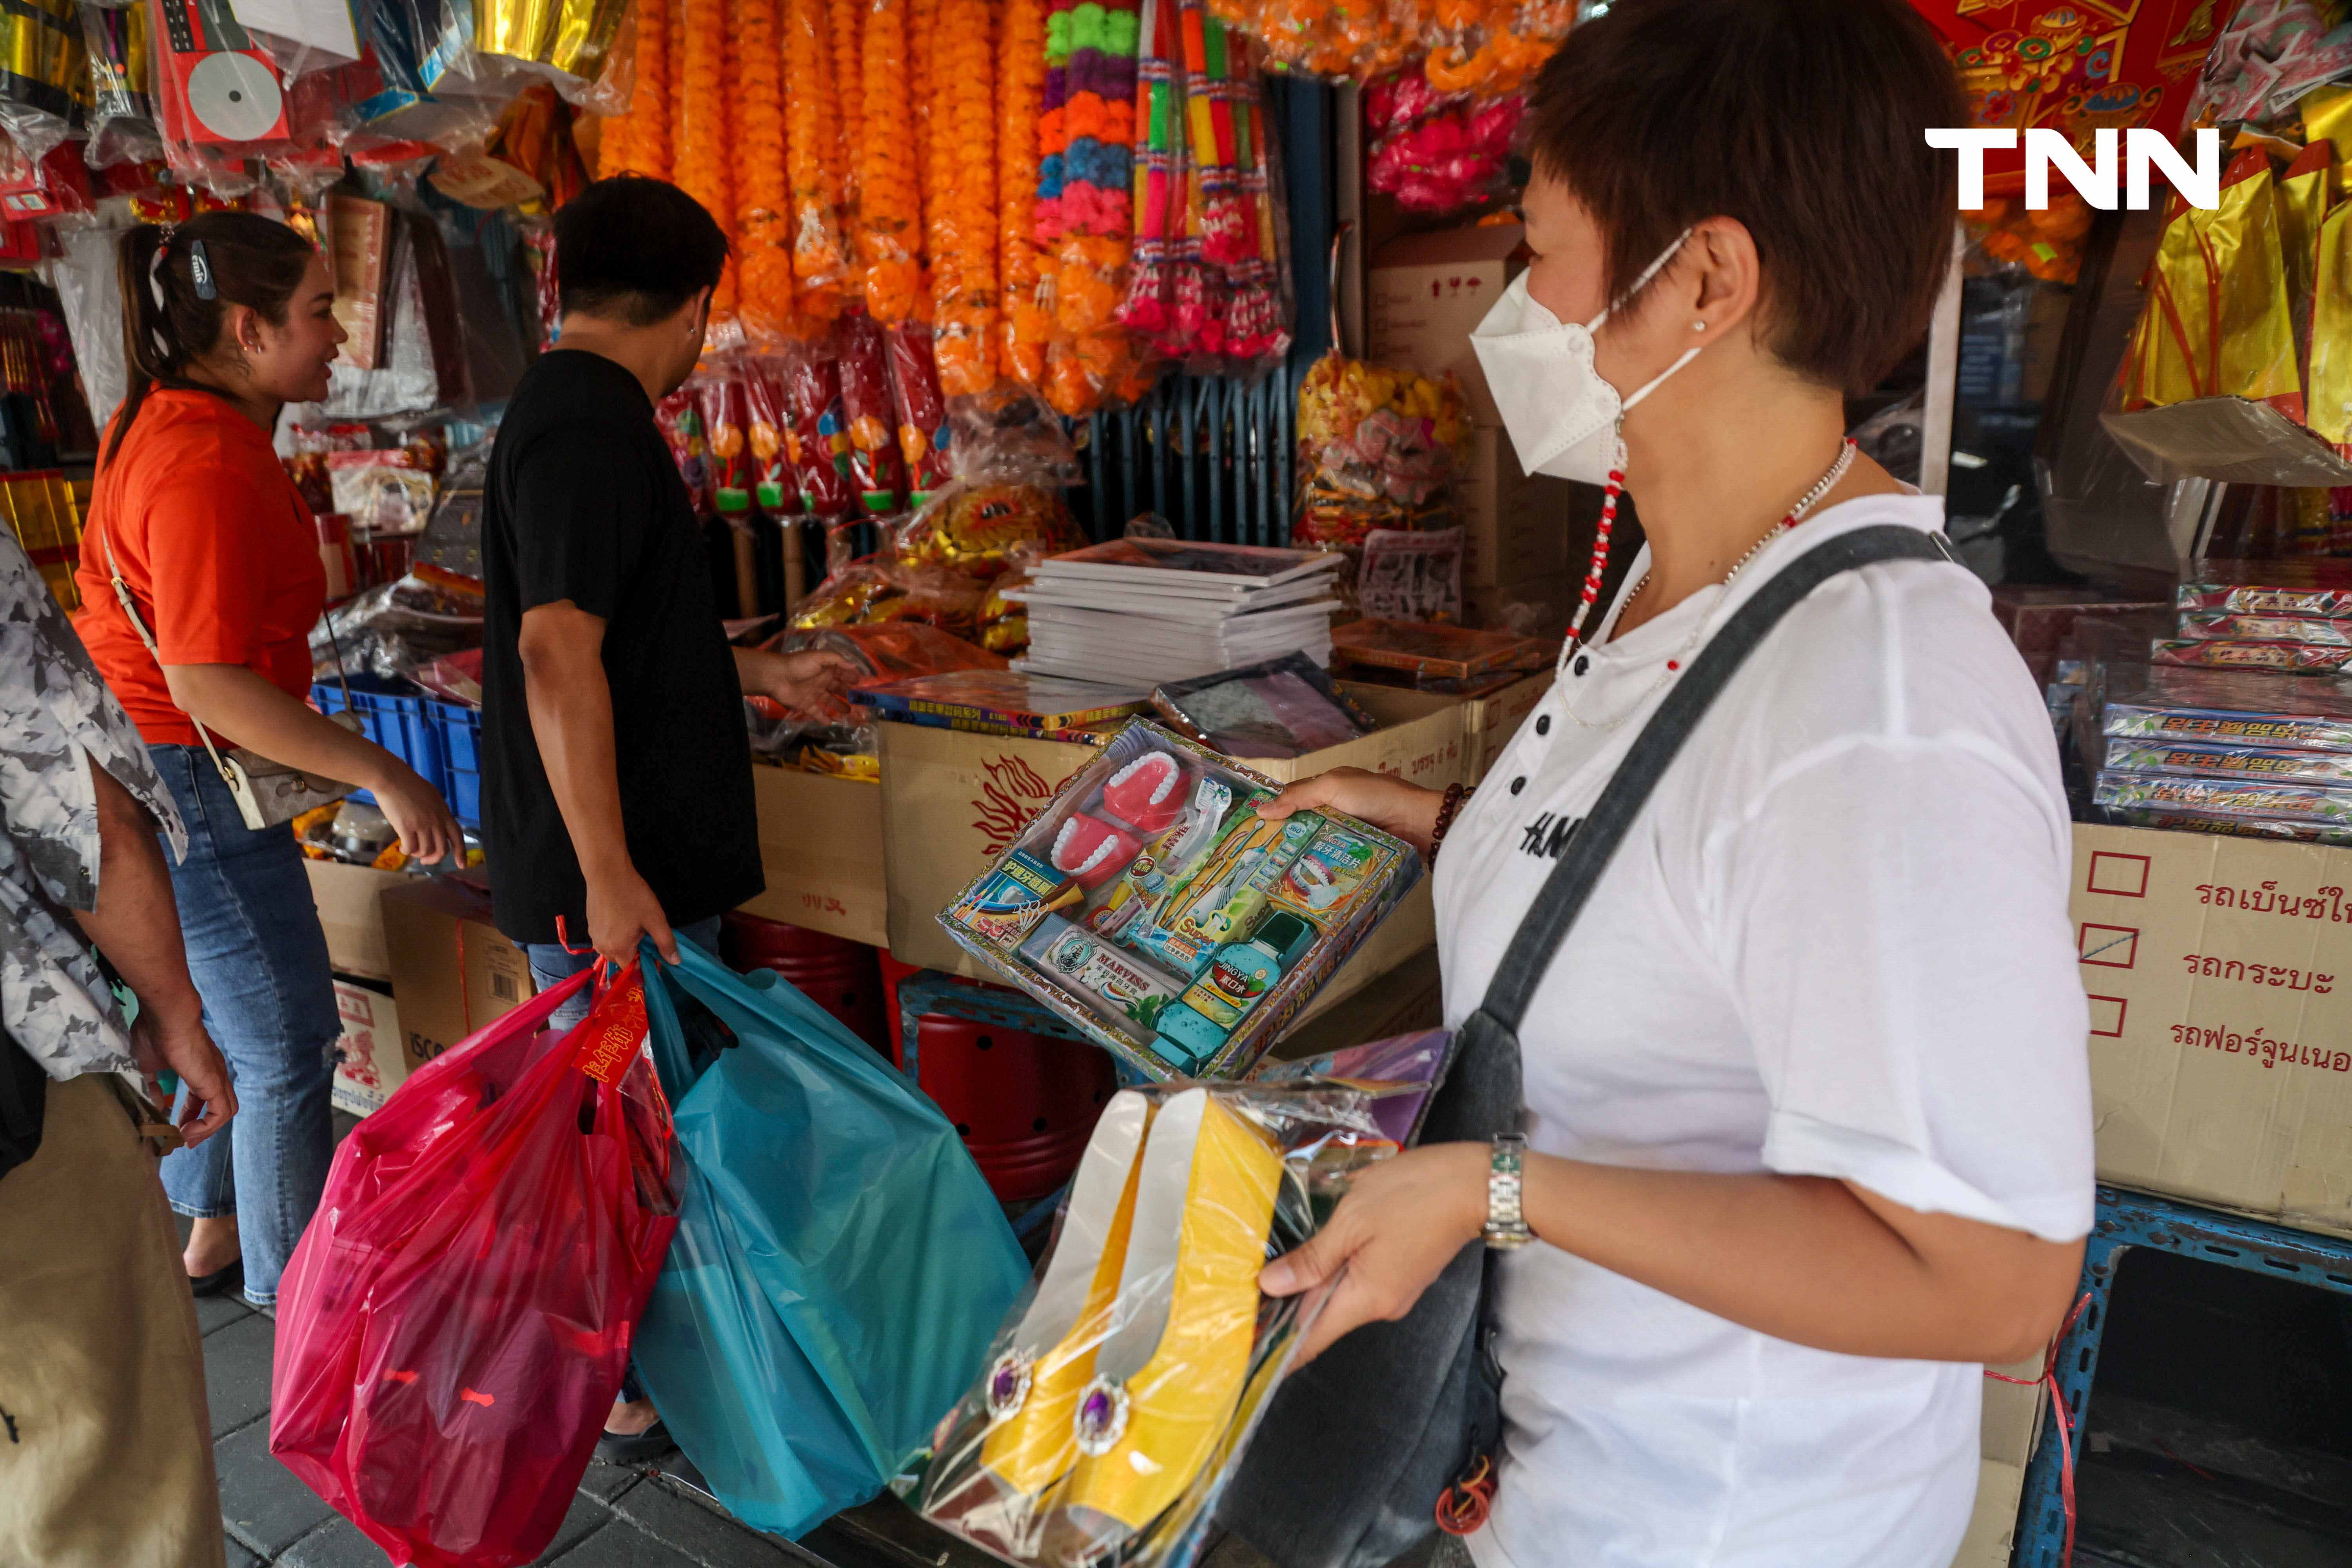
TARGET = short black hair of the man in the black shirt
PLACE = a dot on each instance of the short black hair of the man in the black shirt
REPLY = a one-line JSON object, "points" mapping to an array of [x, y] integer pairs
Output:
{"points": [[636, 248]]}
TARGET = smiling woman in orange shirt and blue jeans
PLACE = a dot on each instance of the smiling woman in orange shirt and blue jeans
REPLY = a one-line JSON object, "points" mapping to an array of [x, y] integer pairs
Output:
{"points": [[227, 321]]}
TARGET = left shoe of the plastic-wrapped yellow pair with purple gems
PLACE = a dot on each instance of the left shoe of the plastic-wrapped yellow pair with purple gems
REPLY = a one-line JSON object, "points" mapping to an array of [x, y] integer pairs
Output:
{"points": [[1031, 1388]]}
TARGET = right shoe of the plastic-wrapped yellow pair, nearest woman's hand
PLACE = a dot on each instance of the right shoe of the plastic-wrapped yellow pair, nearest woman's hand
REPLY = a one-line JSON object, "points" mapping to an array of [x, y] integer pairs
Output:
{"points": [[1184, 1327]]}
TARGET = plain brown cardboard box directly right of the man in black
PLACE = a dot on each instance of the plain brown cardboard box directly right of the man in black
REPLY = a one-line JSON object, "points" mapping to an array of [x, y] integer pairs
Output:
{"points": [[822, 852]]}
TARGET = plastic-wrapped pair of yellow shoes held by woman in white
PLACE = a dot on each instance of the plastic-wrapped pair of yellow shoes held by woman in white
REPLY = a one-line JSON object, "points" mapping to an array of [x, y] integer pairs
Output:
{"points": [[1130, 1376]]}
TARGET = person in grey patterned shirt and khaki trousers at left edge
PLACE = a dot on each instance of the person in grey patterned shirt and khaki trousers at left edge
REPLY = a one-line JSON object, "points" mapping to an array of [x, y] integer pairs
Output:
{"points": [[105, 1435]]}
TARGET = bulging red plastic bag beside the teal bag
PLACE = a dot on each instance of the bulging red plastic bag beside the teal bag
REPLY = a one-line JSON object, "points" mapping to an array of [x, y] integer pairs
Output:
{"points": [[455, 1325]]}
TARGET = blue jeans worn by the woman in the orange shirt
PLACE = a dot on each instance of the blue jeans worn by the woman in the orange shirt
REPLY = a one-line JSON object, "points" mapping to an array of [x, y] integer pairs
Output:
{"points": [[260, 963]]}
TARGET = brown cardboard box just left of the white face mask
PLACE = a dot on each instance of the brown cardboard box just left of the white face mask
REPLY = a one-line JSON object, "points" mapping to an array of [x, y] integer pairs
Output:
{"points": [[1426, 293]]}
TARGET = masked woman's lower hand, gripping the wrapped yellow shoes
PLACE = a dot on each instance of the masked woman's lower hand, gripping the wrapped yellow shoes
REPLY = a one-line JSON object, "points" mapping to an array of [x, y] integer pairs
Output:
{"points": [[1398, 1228]]}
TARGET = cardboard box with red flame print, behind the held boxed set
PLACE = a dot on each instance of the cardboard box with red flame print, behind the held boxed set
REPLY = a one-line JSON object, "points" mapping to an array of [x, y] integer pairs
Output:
{"points": [[954, 800]]}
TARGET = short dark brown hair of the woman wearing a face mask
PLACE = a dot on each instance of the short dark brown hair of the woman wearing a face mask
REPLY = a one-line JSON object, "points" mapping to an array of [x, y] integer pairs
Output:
{"points": [[1800, 119]]}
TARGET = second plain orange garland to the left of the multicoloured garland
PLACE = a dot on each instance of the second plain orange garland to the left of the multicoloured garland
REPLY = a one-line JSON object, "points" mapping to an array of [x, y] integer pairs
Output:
{"points": [[968, 264]]}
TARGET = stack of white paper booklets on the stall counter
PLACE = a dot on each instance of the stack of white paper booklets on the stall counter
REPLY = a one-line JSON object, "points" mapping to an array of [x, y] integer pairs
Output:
{"points": [[1158, 610]]}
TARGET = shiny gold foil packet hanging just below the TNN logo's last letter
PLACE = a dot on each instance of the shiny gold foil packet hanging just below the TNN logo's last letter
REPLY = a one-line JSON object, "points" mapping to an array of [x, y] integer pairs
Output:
{"points": [[2219, 319]]}
